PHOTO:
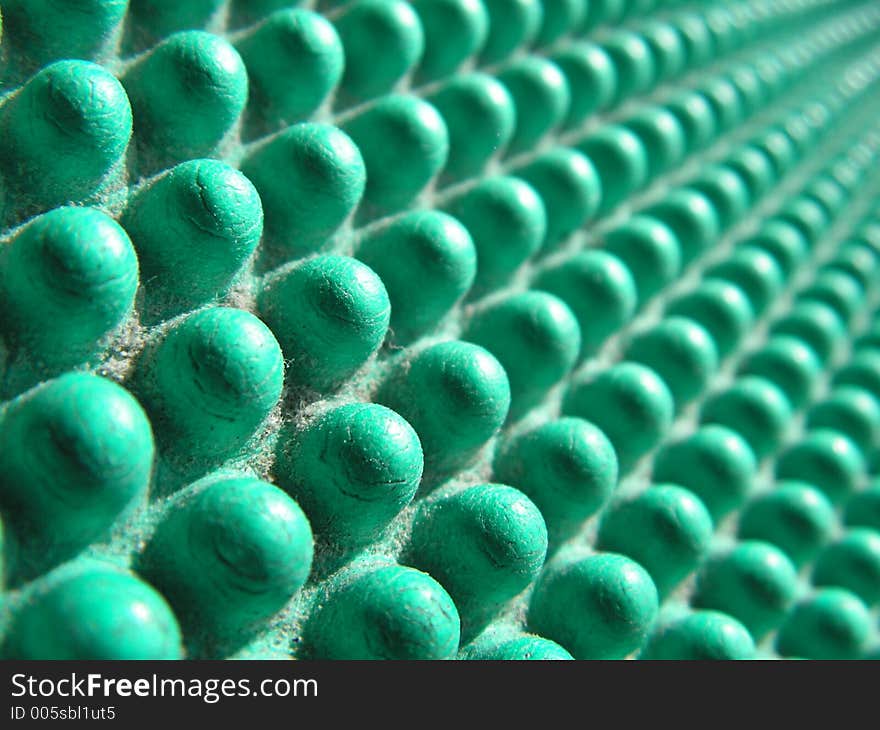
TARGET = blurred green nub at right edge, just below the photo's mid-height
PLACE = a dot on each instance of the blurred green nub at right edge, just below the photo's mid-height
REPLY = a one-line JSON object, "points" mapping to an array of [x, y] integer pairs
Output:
{"points": [[853, 411]]}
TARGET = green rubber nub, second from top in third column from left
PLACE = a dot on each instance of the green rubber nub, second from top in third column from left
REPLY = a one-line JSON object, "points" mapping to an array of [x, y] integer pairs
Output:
{"points": [[310, 178]]}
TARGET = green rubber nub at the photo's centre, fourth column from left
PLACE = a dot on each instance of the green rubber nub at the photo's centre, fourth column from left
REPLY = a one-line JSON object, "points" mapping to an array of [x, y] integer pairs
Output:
{"points": [[456, 395]]}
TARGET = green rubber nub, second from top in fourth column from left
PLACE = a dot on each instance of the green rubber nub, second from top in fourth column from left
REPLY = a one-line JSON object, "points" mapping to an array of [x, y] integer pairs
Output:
{"points": [[404, 143]]}
